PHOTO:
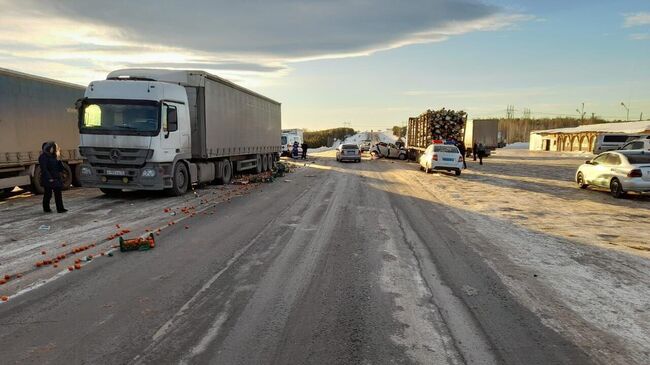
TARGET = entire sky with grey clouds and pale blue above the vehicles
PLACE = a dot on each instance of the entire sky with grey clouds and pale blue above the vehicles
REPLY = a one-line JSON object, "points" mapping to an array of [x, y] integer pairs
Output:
{"points": [[360, 63]]}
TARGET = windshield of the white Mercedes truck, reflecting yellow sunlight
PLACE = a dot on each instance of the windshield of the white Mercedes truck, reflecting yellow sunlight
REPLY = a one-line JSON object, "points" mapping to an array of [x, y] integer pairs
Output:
{"points": [[130, 117]]}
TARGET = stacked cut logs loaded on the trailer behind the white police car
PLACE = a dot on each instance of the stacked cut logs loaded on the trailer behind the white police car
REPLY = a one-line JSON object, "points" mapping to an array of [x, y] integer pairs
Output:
{"points": [[443, 124]]}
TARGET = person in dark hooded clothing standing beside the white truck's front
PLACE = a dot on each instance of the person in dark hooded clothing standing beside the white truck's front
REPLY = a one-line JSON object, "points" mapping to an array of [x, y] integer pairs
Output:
{"points": [[51, 179]]}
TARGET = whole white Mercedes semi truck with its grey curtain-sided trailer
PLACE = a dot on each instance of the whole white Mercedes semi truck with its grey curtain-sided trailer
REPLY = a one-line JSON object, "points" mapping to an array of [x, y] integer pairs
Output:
{"points": [[152, 129]]}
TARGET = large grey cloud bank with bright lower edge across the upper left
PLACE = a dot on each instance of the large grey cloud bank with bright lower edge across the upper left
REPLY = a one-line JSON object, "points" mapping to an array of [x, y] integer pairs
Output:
{"points": [[235, 38]]}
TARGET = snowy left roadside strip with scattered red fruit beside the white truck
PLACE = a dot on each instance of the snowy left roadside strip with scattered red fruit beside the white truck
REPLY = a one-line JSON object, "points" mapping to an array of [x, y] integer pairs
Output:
{"points": [[27, 235]]}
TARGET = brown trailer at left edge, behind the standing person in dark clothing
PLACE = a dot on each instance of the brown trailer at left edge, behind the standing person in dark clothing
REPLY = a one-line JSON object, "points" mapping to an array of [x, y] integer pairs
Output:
{"points": [[34, 110]]}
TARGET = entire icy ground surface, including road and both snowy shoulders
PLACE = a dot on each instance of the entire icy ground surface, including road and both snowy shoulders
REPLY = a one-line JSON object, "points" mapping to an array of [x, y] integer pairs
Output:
{"points": [[371, 263]]}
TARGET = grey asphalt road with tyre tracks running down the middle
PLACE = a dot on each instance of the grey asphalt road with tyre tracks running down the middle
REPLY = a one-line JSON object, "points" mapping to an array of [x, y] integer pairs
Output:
{"points": [[340, 264]]}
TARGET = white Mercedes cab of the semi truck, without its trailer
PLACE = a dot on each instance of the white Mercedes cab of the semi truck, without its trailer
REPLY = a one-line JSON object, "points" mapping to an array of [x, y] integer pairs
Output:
{"points": [[132, 131]]}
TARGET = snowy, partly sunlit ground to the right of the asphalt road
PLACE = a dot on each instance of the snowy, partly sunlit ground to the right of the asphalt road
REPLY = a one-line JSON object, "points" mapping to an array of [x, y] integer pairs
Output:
{"points": [[578, 258]]}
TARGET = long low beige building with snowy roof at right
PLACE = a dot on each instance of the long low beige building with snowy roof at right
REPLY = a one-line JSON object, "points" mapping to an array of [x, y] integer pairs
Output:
{"points": [[582, 138]]}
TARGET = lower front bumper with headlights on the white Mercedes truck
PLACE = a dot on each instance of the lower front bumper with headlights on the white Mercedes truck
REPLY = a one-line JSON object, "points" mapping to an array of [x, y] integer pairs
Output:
{"points": [[152, 176]]}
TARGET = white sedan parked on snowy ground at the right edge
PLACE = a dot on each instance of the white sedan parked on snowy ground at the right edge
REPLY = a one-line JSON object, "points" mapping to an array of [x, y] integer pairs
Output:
{"points": [[621, 172]]}
